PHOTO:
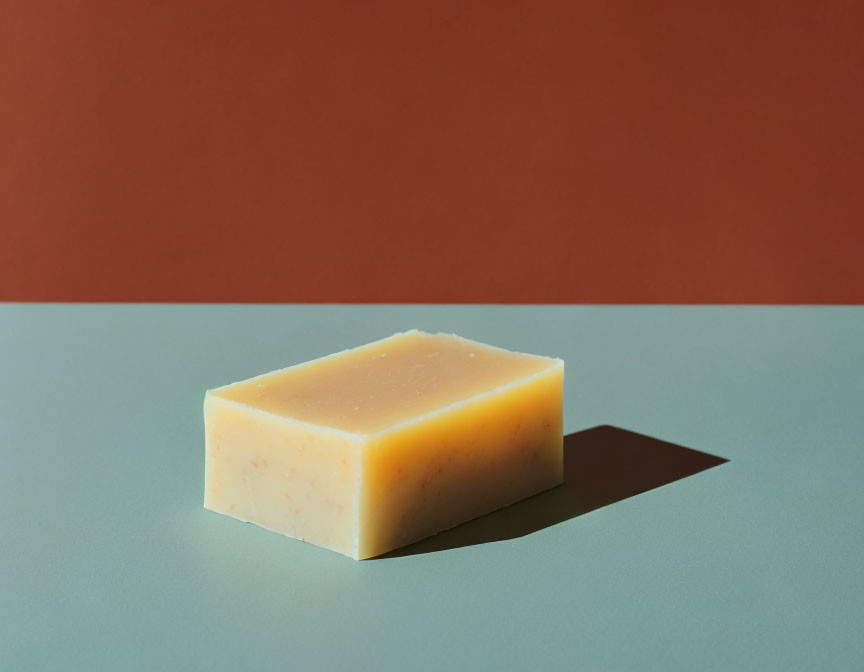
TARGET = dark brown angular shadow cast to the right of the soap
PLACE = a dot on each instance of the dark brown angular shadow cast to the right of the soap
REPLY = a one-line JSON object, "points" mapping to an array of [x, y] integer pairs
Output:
{"points": [[602, 465]]}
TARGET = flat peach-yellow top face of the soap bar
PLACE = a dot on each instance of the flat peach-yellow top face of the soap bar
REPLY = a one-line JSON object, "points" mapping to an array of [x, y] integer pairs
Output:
{"points": [[386, 383]]}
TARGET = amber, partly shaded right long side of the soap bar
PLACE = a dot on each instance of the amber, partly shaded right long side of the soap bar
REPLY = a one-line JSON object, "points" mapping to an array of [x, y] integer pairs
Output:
{"points": [[461, 463]]}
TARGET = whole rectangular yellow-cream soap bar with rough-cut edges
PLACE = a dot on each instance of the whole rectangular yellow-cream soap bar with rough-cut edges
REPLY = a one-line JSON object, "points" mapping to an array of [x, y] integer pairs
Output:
{"points": [[373, 448]]}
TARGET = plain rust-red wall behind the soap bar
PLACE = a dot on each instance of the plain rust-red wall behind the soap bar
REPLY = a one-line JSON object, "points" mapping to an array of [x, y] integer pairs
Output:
{"points": [[501, 151]]}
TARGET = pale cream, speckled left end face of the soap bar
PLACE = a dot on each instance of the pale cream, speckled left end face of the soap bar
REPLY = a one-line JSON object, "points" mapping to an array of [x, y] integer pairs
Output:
{"points": [[287, 477]]}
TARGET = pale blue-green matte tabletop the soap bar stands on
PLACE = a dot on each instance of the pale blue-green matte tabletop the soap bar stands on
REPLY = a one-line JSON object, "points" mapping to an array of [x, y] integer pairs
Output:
{"points": [[109, 561]]}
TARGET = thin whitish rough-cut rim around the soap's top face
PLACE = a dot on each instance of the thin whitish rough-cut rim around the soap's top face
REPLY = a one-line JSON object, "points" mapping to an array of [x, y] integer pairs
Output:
{"points": [[555, 365]]}
